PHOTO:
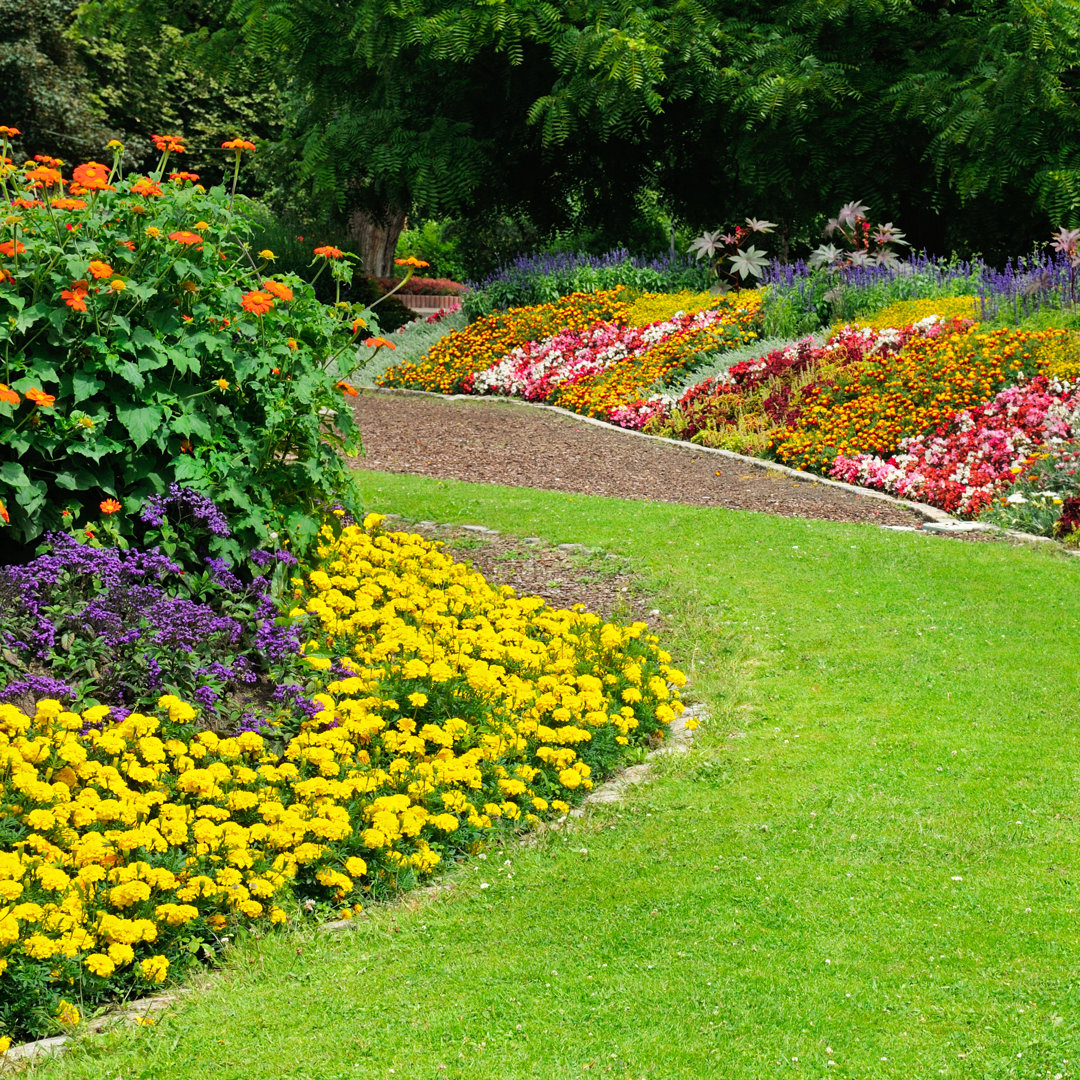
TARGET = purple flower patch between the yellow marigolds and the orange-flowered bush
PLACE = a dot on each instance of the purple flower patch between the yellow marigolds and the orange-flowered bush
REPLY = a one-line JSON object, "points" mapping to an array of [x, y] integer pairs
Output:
{"points": [[124, 626]]}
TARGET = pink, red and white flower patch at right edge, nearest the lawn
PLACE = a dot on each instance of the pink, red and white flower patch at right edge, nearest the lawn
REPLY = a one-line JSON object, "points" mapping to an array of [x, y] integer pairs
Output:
{"points": [[979, 453]]}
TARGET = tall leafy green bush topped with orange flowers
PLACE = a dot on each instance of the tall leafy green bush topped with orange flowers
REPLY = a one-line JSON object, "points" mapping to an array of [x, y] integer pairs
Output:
{"points": [[139, 357]]}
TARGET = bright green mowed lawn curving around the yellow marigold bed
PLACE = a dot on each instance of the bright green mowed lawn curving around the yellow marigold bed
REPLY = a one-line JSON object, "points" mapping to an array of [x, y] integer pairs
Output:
{"points": [[866, 868]]}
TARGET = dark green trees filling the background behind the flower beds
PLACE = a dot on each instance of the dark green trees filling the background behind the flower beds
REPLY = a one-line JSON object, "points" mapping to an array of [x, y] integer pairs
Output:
{"points": [[602, 121]]}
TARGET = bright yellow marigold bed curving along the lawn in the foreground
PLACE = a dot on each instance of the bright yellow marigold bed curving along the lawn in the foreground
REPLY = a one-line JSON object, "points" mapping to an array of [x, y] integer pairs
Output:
{"points": [[448, 707]]}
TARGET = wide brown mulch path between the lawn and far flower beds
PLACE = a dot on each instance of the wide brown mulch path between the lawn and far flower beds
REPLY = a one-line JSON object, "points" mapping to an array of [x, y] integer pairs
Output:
{"points": [[497, 441]]}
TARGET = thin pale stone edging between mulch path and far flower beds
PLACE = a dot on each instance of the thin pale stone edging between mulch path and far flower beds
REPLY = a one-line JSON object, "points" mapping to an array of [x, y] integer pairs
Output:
{"points": [[937, 521]]}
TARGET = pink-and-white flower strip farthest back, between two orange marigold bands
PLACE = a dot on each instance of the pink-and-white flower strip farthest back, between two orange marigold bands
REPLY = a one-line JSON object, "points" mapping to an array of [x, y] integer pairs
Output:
{"points": [[533, 371]]}
